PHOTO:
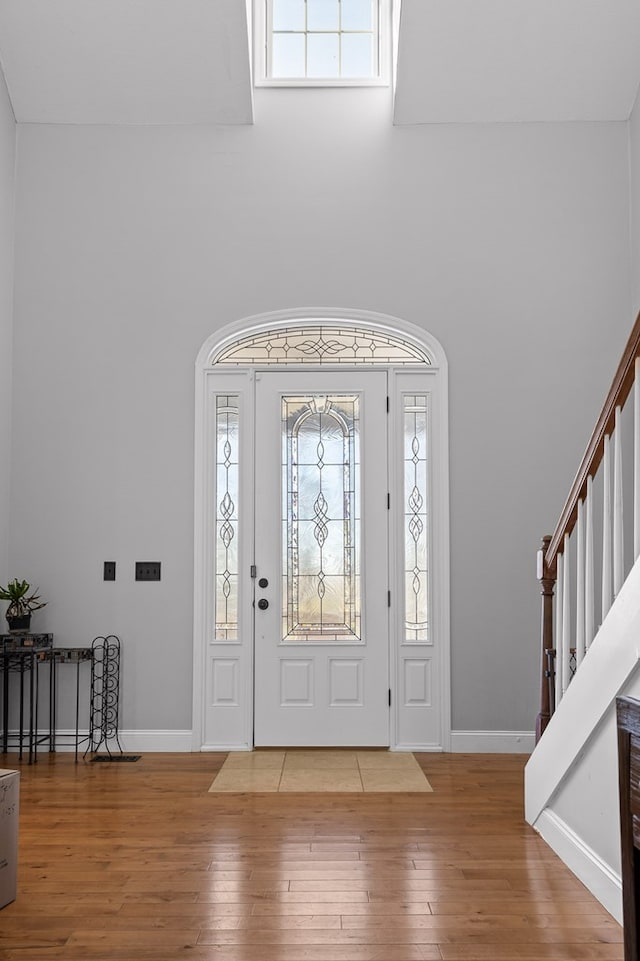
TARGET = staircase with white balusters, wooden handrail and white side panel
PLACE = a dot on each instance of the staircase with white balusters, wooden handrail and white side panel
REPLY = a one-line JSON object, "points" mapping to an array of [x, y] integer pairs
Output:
{"points": [[589, 573]]}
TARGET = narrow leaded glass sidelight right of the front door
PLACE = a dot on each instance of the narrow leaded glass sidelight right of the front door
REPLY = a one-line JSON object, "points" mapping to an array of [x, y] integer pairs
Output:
{"points": [[415, 517]]}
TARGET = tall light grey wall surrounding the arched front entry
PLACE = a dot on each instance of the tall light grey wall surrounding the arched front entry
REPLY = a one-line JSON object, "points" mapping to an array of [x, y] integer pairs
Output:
{"points": [[508, 242]]}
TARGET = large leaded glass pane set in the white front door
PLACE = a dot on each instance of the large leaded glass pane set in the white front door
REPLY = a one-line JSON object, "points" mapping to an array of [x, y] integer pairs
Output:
{"points": [[321, 518]]}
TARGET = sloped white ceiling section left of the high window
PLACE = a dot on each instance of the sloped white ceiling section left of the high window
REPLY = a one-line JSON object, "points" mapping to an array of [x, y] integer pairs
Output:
{"points": [[126, 61]]}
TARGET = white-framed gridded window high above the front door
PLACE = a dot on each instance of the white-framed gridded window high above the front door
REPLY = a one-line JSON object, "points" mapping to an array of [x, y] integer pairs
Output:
{"points": [[321, 42]]}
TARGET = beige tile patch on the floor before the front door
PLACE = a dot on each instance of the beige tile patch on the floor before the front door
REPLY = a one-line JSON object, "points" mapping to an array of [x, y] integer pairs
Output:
{"points": [[337, 771]]}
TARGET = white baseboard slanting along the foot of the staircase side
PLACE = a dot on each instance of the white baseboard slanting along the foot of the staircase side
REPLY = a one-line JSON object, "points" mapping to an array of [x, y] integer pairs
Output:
{"points": [[604, 883]]}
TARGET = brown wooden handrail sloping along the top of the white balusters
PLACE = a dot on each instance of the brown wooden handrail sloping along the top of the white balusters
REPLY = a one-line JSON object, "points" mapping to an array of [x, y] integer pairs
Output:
{"points": [[618, 393]]}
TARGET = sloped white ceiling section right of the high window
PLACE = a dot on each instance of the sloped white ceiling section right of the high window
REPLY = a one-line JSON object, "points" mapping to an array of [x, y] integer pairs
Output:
{"points": [[517, 60]]}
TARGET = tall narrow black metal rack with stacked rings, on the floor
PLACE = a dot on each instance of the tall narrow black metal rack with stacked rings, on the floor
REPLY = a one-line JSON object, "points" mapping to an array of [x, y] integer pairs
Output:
{"points": [[105, 696]]}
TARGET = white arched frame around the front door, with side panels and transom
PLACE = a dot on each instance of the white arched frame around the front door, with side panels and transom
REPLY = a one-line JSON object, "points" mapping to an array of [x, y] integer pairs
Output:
{"points": [[226, 366]]}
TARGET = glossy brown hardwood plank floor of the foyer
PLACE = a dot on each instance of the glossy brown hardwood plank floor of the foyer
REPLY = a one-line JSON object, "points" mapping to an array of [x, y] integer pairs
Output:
{"points": [[138, 862]]}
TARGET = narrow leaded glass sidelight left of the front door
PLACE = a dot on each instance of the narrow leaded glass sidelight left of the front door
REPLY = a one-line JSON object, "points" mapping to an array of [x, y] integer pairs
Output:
{"points": [[226, 535]]}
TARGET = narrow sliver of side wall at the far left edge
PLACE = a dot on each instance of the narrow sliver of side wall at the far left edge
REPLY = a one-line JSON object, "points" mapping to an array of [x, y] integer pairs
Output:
{"points": [[7, 167]]}
